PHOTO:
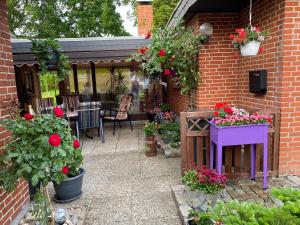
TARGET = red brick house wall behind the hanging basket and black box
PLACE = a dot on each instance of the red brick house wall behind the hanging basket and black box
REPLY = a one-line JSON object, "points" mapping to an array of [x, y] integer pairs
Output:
{"points": [[224, 73]]}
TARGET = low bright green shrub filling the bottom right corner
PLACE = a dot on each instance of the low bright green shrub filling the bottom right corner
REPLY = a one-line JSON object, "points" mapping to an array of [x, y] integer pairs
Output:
{"points": [[251, 213]]}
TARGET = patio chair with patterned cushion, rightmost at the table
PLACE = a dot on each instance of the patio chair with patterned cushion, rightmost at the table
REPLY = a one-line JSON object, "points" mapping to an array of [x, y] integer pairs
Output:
{"points": [[122, 114]]}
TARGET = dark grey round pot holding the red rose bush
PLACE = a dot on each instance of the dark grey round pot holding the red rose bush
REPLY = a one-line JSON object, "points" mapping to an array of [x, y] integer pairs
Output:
{"points": [[69, 189]]}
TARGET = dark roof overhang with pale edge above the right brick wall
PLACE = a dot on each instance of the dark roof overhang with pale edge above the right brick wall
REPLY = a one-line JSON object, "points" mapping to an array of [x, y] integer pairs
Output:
{"points": [[185, 7]]}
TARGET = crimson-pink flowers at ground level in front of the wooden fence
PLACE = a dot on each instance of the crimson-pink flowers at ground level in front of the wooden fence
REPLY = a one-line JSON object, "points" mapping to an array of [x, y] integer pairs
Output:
{"points": [[206, 184]]}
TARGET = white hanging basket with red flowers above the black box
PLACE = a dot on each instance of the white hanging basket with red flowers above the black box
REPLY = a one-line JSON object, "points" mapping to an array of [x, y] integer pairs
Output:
{"points": [[248, 40]]}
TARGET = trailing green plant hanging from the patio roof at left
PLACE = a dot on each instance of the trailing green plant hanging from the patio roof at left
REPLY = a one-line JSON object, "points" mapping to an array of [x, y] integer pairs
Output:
{"points": [[48, 52]]}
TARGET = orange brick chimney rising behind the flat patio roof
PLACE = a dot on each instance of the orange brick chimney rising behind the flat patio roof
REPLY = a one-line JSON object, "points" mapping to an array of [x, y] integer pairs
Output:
{"points": [[144, 18]]}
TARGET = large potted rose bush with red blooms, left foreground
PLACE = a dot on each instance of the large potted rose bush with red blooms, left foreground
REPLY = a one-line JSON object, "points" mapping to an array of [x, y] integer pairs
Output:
{"points": [[42, 150]]}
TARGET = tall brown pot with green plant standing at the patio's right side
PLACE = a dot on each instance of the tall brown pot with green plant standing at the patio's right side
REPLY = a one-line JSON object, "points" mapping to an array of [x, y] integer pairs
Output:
{"points": [[150, 144]]}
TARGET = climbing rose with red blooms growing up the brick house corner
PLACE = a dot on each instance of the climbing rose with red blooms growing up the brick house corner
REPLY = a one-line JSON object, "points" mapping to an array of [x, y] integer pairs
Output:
{"points": [[173, 52]]}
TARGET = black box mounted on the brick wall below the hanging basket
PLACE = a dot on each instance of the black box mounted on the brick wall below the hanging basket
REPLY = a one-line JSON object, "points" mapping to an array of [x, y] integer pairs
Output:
{"points": [[258, 81]]}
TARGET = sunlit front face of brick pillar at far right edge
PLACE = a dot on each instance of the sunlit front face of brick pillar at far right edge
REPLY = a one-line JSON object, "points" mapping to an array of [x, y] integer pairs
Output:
{"points": [[289, 148]]}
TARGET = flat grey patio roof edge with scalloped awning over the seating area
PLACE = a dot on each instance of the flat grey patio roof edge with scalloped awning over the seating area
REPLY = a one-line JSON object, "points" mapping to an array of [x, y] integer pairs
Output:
{"points": [[83, 50]]}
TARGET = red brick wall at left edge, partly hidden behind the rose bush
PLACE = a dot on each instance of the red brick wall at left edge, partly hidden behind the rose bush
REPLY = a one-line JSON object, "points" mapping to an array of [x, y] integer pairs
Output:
{"points": [[10, 203]]}
